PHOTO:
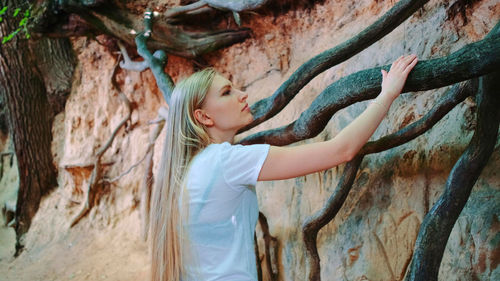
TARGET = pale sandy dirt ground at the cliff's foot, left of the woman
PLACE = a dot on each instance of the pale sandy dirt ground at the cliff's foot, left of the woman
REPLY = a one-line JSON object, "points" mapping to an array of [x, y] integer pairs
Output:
{"points": [[79, 254]]}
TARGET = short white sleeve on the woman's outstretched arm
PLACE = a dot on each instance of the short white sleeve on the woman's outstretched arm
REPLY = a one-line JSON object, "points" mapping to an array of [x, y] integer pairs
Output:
{"points": [[242, 164]]}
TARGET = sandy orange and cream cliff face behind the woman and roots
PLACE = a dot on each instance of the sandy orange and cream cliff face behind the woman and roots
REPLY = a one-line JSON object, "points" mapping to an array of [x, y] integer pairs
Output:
{"points": [[372, 237]]}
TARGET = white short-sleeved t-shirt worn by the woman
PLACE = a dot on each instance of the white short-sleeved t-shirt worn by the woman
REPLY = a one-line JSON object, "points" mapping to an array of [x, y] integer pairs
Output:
{"points": [[223, 211]]}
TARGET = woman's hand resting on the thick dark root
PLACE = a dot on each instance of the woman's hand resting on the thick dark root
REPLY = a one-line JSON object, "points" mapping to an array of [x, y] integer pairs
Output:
{"points": [[393, 82]]}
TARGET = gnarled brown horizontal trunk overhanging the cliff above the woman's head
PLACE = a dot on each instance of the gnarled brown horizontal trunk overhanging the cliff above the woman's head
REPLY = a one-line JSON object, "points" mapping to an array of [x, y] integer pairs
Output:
{"points": [[76, 18]]}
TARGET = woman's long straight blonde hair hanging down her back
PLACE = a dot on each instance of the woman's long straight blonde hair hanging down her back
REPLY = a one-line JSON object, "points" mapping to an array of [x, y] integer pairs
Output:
{"points": [[185, 137]]}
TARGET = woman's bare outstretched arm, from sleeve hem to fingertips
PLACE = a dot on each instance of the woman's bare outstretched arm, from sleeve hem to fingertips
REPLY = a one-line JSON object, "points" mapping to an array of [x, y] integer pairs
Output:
{"points": [[290, 162]]}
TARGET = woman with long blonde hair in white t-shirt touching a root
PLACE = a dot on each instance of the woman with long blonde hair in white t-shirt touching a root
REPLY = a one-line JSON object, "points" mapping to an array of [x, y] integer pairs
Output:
{"points": [[204, 208]]}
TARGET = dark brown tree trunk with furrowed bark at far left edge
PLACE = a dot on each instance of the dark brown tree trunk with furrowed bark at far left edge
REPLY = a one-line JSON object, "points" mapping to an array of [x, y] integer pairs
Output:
{"points": [[29, 118]]}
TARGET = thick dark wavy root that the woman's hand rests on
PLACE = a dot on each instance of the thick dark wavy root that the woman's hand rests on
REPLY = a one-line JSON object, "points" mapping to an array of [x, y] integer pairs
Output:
{"points": [[471, 61]]}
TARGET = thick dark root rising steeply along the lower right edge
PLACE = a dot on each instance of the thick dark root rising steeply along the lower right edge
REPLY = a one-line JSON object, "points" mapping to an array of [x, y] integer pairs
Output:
{"points": [[438, 223]]}
